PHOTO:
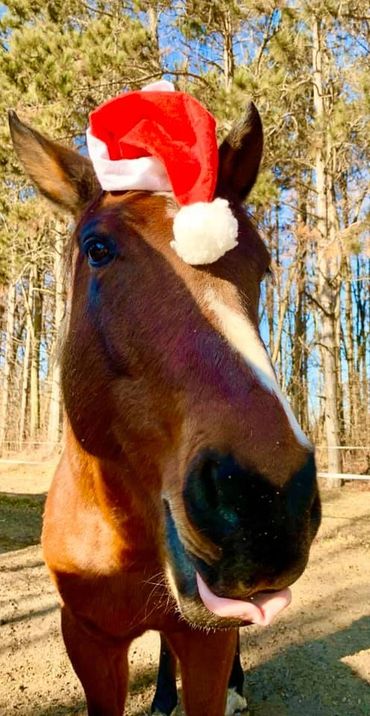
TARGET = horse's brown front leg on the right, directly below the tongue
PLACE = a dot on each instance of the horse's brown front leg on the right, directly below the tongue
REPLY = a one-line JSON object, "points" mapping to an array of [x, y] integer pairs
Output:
{"points": [[205, 661]]}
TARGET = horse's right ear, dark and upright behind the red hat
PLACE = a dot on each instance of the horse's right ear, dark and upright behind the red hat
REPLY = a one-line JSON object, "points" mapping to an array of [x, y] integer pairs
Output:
{"points": [[240, 155]]}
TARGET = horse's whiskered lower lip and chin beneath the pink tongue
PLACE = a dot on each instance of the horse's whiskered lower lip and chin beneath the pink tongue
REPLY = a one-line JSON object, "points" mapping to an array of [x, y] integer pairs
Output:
{"points": [[182, 583]]}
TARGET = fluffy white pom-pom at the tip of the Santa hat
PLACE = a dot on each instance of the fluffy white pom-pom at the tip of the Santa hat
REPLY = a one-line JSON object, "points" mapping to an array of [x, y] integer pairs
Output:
{"points": [[204, 232]]}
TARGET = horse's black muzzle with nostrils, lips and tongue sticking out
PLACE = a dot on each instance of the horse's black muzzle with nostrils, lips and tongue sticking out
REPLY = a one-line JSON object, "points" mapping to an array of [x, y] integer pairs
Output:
{"points": [[261, 534]]}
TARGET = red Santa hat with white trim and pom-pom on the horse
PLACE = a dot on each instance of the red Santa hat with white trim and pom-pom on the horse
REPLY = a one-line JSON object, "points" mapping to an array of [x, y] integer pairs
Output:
{"points": [[158, 139]]}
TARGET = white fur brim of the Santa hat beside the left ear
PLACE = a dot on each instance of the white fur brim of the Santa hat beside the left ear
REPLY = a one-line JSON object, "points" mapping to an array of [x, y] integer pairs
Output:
{"points": [[145, 173]]}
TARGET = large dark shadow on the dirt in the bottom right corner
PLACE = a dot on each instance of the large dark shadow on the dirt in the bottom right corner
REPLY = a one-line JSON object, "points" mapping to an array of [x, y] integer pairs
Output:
{"points": [[311, 679]]}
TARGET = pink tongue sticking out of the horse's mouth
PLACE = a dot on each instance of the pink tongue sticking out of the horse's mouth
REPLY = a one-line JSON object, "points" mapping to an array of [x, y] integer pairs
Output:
{"points": [[261, 610]]}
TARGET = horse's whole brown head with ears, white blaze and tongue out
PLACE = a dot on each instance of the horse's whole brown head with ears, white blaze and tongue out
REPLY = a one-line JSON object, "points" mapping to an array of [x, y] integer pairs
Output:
{"points": [[168, 388]]}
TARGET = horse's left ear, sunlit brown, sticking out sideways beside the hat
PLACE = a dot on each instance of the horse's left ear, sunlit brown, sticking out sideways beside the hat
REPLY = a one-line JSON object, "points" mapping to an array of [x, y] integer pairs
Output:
{"points": [[61, 174]]}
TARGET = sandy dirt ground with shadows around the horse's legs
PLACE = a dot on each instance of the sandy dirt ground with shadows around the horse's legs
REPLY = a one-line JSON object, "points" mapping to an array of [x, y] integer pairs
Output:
{"points": [[314, 661]]}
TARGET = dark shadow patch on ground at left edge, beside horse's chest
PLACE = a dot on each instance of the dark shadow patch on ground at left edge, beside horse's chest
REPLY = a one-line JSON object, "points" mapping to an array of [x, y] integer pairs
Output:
{"points": [[20, 520]]}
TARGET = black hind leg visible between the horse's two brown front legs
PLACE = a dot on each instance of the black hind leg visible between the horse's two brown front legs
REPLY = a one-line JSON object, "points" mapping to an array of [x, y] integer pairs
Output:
{"points": [[165, 698]]}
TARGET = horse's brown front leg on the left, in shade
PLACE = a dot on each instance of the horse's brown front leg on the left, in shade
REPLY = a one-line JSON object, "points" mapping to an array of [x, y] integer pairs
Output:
{"points": [[101, 667]]}
